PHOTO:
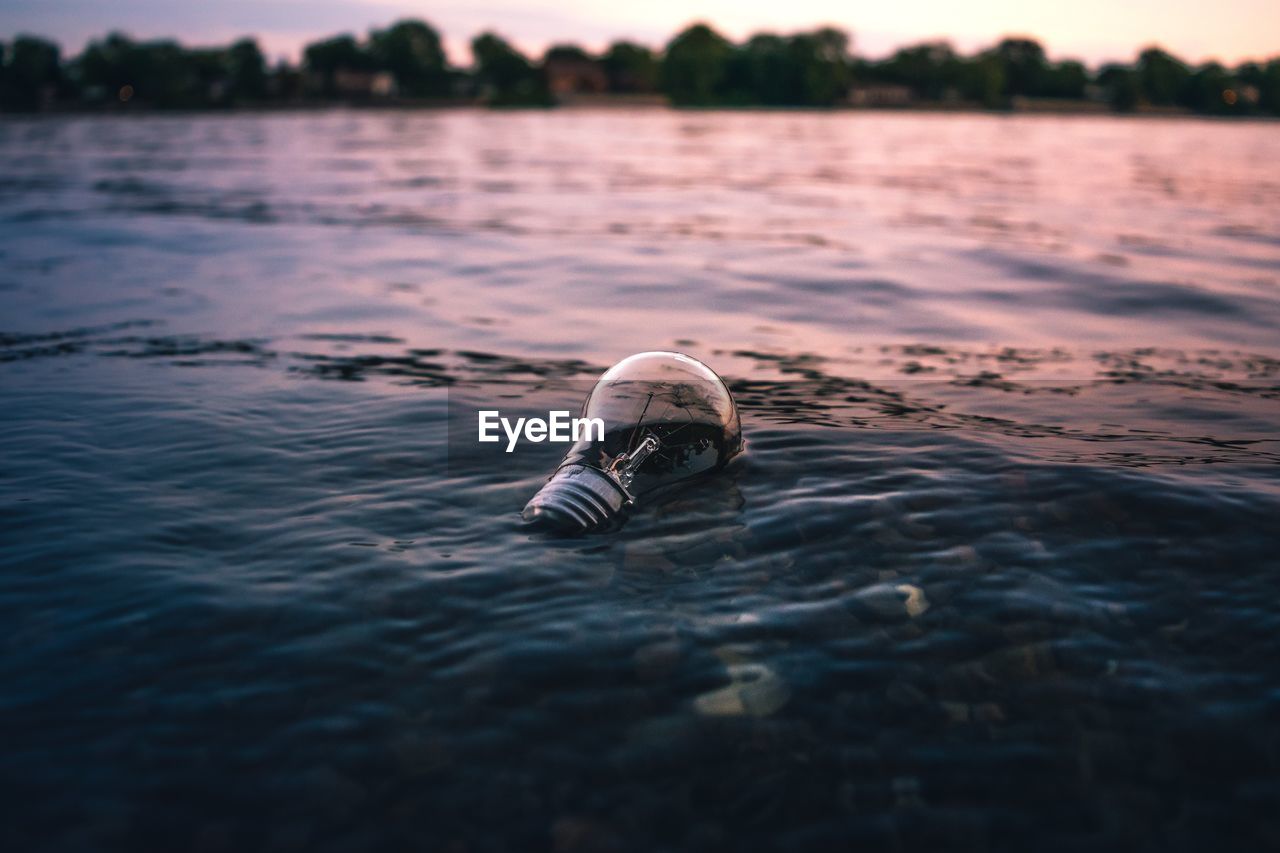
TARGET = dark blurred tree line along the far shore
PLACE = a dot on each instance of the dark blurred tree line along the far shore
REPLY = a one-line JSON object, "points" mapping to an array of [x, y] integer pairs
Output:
{"points": [[698, 67]]}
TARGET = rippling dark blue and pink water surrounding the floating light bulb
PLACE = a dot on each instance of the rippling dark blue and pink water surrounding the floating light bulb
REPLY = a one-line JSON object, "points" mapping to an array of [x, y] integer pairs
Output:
{"points": [[998, 571]]}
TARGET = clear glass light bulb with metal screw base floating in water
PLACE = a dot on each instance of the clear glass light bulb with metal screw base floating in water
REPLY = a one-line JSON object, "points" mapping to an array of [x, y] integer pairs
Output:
{"points": [[668, 418]]}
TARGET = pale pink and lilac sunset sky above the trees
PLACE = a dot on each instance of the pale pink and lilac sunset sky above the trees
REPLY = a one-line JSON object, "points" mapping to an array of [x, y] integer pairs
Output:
{"points": [[1096, 31]]}
